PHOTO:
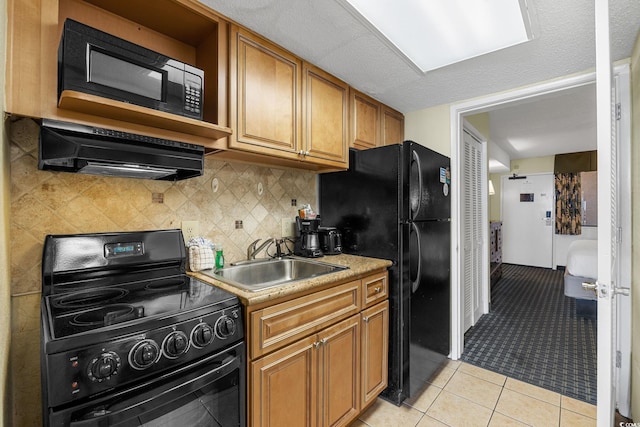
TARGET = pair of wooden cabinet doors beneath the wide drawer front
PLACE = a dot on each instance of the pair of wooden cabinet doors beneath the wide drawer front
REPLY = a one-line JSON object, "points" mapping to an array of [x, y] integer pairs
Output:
{"points": [[314, 382]]}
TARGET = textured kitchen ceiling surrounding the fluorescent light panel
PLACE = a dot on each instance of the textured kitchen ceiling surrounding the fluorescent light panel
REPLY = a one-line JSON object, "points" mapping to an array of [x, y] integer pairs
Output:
{"points": [[326, 34]]}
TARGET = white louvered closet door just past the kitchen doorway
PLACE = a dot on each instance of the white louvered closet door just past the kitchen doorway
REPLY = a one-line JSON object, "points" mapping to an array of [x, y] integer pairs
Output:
{"points": [[472, 228]]}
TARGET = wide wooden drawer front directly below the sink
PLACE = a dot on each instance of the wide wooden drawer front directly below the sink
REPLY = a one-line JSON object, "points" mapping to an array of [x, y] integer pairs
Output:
{"points": [[275, 326]]}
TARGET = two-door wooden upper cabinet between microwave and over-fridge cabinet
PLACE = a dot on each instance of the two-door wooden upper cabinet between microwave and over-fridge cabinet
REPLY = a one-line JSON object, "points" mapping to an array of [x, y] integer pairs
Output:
{"points": [[283, 108]]}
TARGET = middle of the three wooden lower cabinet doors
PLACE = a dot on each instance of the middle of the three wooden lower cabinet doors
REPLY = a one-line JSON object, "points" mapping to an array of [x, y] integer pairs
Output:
{"points": [[340, 372]]}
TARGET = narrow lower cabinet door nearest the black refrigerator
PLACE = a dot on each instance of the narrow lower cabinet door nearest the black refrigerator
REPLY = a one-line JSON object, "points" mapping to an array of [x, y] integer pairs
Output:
{"points": [[375, 347]]}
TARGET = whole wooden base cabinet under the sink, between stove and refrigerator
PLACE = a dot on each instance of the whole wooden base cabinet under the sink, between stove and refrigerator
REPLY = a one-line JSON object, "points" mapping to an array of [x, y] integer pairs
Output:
{"points": [[328, 377]]}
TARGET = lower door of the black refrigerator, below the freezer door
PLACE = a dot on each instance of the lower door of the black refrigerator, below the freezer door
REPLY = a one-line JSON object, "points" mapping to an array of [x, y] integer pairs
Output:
{"points": [[430, 300]]}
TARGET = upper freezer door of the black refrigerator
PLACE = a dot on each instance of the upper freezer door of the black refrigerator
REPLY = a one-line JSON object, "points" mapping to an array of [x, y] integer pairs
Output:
{"points": [[429, 180]]}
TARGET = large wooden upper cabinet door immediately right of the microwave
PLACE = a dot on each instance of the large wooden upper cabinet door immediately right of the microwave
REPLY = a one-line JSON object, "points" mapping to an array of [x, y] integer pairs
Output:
{"points": [[264, 95]]}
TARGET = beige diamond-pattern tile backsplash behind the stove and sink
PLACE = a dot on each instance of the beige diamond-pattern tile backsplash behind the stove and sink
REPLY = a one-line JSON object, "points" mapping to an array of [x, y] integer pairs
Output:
{"points": [[227, 195]]}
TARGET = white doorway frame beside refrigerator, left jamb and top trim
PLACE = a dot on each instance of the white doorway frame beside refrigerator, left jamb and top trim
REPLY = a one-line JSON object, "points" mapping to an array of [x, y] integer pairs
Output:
{"points": [[457, 113]]}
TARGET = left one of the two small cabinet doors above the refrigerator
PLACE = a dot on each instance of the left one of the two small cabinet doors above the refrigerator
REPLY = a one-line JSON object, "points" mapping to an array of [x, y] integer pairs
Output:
{"points": [[365, 121]]}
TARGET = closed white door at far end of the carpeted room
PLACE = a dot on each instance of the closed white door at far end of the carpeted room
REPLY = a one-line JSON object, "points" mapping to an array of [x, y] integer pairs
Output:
{"points": [[527, 220]]}
